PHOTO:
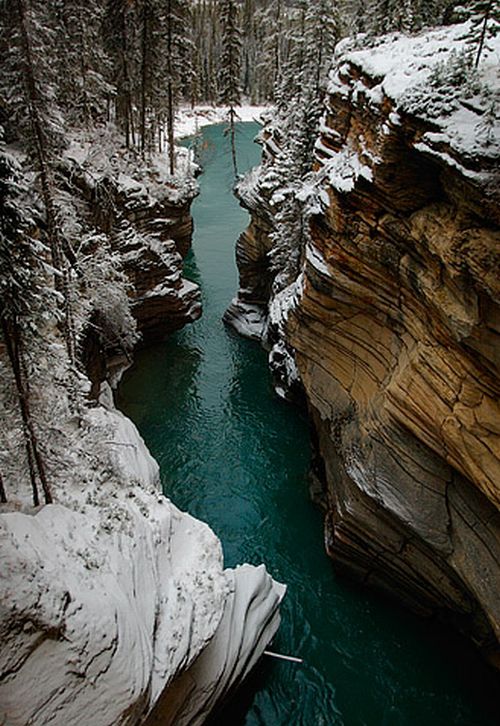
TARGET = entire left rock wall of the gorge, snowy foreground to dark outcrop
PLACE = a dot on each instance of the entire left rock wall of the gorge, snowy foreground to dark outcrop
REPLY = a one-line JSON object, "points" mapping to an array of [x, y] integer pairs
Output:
{"points": [[113, 601]]}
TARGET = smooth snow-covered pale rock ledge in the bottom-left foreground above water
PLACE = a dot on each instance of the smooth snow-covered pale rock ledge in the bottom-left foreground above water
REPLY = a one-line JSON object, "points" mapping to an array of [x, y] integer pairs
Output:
{"points": [[114, 601]]}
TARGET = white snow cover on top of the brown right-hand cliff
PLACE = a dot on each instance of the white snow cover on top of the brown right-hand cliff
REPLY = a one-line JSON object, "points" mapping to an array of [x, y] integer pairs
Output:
{"points": [[404, 69]]}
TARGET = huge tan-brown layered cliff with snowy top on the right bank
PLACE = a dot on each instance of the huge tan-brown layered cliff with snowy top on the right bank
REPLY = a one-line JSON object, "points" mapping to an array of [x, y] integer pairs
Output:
{"points": [[394, 325]]}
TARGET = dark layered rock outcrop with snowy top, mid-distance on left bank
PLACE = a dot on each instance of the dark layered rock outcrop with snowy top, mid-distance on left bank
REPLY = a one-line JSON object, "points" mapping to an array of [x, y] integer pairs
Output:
{"points": [[147, 217]]}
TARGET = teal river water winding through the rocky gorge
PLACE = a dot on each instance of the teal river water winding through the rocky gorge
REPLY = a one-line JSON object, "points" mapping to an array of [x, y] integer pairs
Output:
{"points": [[234, 455]]}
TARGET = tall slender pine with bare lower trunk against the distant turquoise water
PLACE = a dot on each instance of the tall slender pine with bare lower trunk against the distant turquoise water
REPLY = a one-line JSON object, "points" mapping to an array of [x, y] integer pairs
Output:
{"points": [[230, 87]]}
